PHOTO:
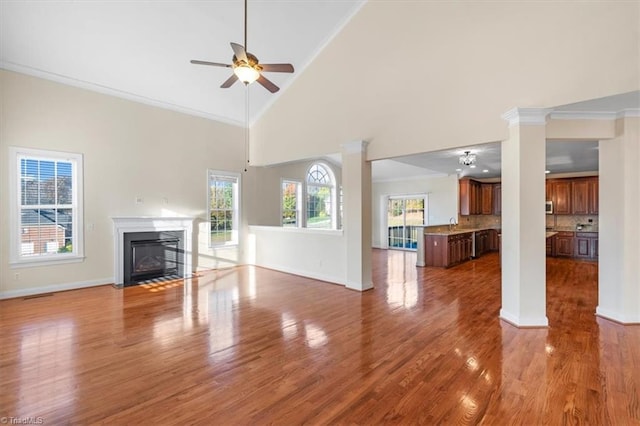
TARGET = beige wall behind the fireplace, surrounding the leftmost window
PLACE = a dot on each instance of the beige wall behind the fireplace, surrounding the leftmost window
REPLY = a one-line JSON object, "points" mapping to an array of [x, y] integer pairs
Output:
{"points": [[130, 150]]}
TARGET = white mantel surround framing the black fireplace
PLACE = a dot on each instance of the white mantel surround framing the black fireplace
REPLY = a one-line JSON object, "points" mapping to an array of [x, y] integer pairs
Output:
{"points": [[123, 225]]}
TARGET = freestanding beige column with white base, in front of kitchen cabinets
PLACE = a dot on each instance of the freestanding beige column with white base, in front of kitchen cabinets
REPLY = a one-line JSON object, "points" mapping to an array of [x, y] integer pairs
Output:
{"points": [[523, 219]]}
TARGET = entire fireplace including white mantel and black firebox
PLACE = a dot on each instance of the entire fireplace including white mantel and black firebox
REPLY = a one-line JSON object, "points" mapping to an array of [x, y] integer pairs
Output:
{"points": [[151, 248]]}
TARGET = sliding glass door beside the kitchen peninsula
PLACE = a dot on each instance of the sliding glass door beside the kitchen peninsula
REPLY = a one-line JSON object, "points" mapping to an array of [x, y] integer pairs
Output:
{"points": [[405, 216]]}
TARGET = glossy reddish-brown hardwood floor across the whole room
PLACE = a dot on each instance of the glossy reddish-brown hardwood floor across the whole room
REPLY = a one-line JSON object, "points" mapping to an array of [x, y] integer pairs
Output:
{"points": [[255, 346]]}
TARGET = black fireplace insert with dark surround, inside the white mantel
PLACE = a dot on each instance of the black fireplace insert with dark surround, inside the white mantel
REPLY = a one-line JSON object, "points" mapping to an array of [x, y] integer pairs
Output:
{"points": [[152, 256]]}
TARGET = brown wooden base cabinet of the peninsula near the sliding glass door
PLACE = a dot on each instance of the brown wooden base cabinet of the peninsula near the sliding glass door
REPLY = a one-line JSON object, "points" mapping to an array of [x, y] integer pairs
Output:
{"points": [[444, 250]]}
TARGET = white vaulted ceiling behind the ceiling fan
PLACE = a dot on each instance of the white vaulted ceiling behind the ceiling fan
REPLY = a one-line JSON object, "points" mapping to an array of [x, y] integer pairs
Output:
{"points": [[140, 50]]}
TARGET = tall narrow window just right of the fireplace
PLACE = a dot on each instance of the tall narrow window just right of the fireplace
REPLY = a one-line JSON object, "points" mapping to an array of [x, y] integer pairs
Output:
{"points": [[223, 207]]}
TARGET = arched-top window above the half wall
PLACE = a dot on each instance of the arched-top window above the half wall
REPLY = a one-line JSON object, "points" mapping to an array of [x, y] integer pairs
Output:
{"points": [[321, 197]]}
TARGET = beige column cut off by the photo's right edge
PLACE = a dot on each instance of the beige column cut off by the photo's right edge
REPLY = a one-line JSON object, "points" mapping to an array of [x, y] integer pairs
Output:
{"points": [[619, 224]]}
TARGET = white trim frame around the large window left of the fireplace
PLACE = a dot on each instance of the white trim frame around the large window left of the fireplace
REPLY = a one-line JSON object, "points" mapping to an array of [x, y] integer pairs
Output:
{"points": [[15, 260]]}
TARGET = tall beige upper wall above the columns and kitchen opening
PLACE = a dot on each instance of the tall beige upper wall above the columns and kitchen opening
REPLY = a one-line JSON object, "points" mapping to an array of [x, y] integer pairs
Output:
{"points": [[412, 76]]}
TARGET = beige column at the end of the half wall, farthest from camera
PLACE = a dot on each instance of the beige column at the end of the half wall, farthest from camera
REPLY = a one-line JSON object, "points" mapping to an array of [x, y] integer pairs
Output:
{"points": [[356, 220]]}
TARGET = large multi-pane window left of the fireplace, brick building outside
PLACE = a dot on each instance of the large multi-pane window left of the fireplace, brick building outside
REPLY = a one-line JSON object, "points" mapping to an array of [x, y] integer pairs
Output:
{"points": [[46, 217]]}
